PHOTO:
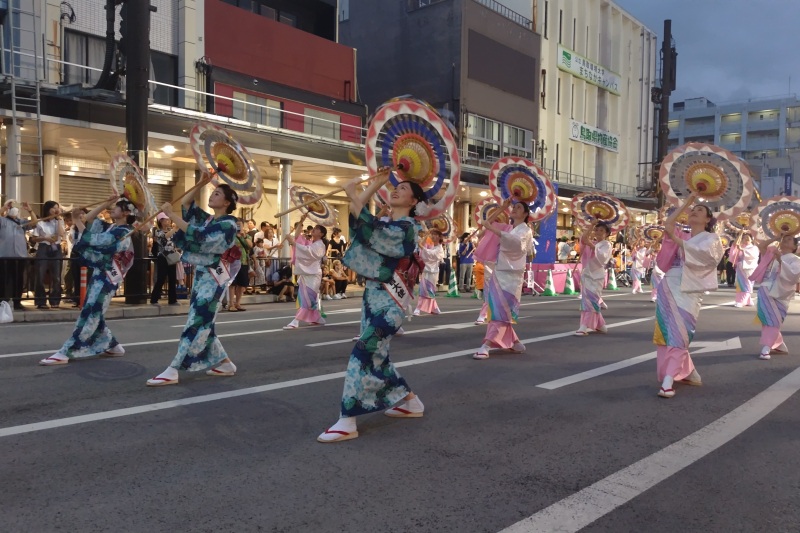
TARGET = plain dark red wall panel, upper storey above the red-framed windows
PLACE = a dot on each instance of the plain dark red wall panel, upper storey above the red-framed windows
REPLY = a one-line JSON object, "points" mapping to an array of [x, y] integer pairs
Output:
{"points": [[244, 42]]}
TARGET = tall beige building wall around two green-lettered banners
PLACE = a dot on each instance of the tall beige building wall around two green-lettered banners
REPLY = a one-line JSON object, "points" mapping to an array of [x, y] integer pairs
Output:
{"points": [[608, 37]]}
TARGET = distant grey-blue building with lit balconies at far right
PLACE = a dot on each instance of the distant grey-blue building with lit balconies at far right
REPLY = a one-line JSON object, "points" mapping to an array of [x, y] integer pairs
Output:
{"points": [[765, 132]]}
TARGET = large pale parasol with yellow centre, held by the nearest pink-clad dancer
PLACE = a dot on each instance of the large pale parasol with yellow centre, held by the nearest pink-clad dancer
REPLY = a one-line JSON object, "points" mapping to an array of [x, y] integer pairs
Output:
{"points": [[716, 175]]}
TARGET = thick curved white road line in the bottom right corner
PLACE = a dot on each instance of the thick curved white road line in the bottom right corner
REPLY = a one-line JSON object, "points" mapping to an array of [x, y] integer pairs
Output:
{"points": [[592, 503]]}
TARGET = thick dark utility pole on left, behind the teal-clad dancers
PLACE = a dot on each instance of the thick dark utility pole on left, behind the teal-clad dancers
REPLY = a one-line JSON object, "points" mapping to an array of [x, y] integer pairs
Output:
{"points": [[135, 46]]}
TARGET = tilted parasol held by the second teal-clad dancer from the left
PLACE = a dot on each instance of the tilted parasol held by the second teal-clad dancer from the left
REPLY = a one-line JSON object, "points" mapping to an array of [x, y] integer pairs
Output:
{"points": [[230, 163]]}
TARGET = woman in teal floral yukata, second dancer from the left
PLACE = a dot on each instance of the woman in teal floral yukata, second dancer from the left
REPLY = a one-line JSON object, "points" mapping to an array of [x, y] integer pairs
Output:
{"points": [[203, 237]]}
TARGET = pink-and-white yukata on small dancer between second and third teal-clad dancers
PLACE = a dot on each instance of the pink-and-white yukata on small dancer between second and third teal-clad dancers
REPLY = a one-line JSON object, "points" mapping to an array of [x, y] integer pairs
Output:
{"points": [[308, 269]]}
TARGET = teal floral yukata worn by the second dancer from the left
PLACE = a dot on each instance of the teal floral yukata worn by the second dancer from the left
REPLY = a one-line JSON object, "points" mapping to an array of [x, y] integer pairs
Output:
{"points": [[203, 243]]}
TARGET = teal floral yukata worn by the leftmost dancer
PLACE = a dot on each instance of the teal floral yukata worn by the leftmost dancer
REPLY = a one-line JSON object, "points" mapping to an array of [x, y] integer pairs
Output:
{"points": [[106, 249]]}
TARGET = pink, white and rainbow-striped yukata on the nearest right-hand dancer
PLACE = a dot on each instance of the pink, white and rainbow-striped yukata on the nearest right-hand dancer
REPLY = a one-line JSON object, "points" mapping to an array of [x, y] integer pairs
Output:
{"points": [[690, 271]]}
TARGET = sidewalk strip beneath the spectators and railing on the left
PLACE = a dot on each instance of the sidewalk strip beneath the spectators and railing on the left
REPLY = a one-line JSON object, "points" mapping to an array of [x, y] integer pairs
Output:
{"points": [[119, 309]]}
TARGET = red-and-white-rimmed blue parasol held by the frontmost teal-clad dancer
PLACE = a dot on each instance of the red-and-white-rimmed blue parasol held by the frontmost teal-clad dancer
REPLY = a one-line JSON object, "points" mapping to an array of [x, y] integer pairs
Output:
{"points": [[408, 136]]}
